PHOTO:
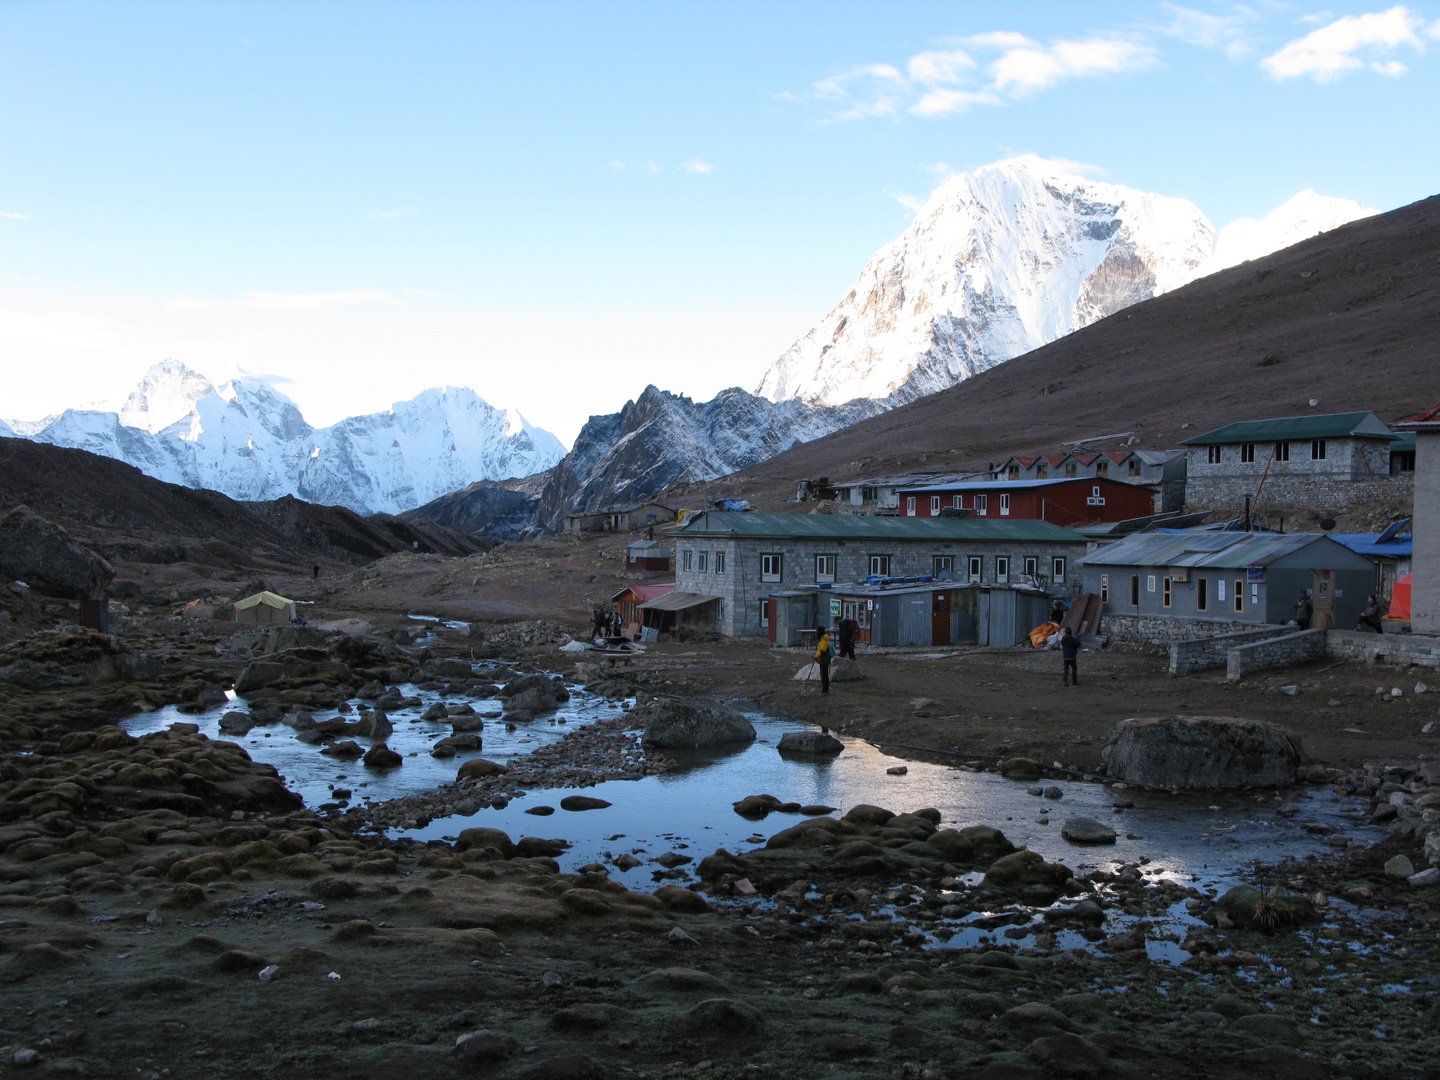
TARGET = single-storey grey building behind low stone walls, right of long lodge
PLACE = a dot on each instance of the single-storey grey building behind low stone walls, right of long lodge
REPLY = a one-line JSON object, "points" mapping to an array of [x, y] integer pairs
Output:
{"points": [[1177, 585]]}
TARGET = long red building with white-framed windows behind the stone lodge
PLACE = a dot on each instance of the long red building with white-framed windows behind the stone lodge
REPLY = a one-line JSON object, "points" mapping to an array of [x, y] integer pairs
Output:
{"points": [[1059, 502]]}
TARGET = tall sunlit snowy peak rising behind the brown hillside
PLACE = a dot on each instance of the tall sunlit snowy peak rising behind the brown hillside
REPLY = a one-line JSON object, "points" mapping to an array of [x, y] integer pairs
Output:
{"points": [[1010, 258]]}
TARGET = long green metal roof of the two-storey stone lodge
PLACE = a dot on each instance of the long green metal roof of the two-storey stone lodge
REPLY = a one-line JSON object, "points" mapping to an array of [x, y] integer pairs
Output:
{"points": [[869, 528]]}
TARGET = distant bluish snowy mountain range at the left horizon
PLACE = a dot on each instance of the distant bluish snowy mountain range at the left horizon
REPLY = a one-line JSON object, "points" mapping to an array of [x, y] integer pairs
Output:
{"points": [[250, 441]]}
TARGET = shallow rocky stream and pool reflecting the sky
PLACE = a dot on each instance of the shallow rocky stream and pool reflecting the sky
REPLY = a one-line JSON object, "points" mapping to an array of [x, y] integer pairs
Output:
{"points": [[1199, 840]]}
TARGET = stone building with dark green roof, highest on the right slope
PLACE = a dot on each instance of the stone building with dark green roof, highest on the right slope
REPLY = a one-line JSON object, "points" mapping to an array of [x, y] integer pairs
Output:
{"points": [[1321, 463]]}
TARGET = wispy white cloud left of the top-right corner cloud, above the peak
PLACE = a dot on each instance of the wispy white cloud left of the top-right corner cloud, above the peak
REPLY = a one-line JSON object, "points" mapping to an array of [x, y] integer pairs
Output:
{"points": [[981, 70]]}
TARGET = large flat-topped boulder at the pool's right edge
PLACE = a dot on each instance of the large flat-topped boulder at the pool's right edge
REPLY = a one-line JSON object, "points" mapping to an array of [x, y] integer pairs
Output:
{"points": [[1202, 752]]}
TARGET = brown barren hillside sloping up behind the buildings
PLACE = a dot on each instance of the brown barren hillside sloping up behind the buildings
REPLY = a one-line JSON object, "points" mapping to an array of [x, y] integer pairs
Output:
{"points": [[1350, 319]]}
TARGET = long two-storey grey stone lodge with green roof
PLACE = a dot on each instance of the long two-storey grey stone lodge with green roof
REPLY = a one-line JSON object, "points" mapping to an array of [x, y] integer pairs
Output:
{"points": [[734, 564]]}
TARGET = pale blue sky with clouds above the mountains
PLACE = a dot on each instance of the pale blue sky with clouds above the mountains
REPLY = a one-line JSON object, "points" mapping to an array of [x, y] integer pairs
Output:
{"points": [[557, 204]]}
